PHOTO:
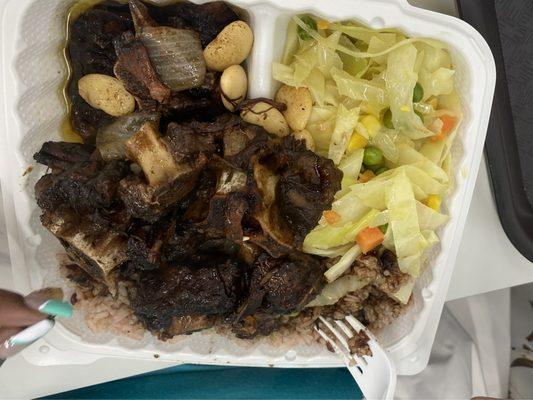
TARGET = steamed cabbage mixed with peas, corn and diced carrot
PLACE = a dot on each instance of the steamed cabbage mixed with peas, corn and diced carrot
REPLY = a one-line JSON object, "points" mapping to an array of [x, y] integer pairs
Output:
{"points": [[384, 108]]}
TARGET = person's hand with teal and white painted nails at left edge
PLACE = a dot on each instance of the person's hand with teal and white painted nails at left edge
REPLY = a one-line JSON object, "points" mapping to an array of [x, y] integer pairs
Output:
{"points": [[17, 313]]}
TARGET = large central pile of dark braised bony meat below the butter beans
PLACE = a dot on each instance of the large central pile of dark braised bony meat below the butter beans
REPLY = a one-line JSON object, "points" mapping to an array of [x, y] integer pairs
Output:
{"points": [[206, 232]]}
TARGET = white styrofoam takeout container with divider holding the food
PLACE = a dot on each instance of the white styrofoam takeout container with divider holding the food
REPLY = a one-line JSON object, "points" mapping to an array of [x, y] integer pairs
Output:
{"points": [[33, 72]]}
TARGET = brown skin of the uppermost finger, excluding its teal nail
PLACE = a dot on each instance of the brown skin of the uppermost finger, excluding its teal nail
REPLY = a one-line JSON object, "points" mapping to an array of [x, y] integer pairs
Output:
{"points": [[14, 313]]}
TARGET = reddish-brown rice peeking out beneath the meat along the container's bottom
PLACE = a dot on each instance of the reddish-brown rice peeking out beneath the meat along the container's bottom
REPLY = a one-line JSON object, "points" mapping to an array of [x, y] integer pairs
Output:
{"points": [[104, 313]]}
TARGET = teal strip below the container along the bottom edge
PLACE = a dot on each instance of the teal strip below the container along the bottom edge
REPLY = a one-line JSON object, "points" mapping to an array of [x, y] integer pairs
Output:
{"points": [[206, 382]]}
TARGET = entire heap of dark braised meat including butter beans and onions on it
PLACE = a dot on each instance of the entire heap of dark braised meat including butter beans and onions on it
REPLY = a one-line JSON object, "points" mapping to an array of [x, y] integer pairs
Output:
{"points": [[175, 205]]}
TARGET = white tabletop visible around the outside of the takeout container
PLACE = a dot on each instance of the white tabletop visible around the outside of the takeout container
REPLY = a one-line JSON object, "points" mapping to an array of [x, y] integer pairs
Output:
{"points": [[487, 261]]}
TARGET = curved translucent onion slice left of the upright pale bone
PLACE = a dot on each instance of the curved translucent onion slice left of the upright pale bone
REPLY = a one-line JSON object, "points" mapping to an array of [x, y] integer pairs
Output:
{"points": [[111, 139]]}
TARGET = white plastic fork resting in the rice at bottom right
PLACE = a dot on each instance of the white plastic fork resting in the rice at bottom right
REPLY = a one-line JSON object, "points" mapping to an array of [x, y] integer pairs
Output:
{"points": [[375, 375]]}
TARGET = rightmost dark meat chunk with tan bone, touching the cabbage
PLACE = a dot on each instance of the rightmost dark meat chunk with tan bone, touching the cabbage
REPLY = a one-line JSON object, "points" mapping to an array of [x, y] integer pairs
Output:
{"points": [[292, 186]]}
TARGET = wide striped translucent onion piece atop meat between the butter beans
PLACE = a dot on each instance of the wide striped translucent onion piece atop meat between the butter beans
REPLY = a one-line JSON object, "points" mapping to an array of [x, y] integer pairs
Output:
{"points": [[177, 56]]}
